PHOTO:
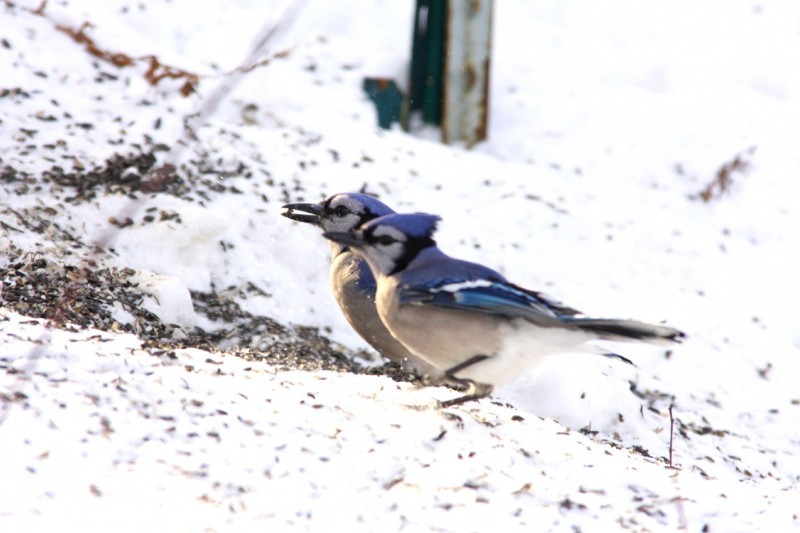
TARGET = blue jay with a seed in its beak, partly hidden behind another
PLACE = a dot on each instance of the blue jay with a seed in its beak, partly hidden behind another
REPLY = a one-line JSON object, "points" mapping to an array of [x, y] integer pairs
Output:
{"points": [[352, 282]]}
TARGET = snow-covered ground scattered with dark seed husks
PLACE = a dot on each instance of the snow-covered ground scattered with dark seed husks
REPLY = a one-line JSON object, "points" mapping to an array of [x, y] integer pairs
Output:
{"points": [[608, 122]]}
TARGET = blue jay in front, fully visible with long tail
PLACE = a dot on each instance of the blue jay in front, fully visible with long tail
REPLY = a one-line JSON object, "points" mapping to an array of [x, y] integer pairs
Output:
{"points": [[467, 321]]}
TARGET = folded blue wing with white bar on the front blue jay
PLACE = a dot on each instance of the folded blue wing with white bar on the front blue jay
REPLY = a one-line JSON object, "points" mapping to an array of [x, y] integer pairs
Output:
{"points": [[485, 296]]}
